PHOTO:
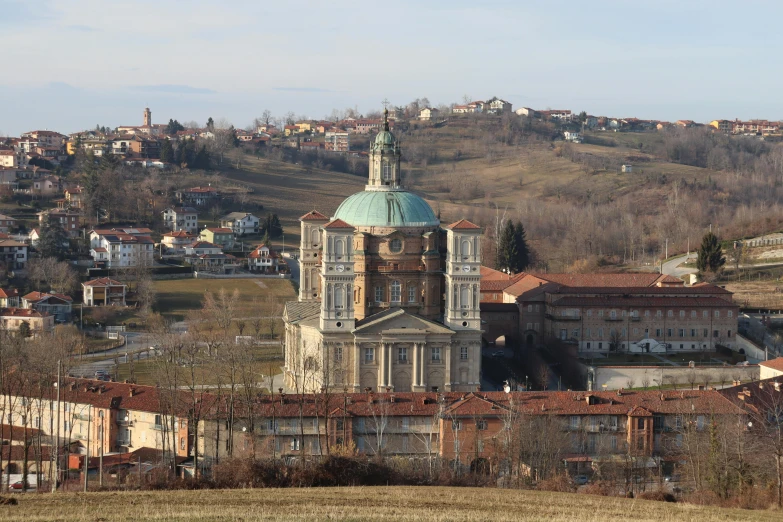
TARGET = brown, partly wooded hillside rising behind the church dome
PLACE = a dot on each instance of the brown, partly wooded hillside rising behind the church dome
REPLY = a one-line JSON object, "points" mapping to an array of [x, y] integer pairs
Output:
{"points": [[579, 209]]}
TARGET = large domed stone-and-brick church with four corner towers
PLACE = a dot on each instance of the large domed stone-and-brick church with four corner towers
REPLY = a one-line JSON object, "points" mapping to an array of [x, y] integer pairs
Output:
{"points": [[388, 299]]}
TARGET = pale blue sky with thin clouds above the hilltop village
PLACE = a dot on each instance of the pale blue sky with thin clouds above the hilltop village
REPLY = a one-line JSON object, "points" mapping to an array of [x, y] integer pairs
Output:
{"points": [[70, 65]]}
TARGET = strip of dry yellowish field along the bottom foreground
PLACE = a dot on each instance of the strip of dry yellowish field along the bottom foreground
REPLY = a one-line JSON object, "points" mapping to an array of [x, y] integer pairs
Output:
{"points": [[369, 503]]}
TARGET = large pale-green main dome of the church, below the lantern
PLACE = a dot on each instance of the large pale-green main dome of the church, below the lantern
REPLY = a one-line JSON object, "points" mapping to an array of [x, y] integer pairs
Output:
{"points": [[382, 208]]}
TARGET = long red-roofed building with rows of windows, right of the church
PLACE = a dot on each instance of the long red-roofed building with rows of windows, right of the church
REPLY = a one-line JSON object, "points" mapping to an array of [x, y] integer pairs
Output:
{"points": [[624, 312]]}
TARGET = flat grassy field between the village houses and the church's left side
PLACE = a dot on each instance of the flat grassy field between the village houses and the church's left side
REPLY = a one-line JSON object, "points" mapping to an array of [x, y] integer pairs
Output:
{"points": [[257, 297]]}
